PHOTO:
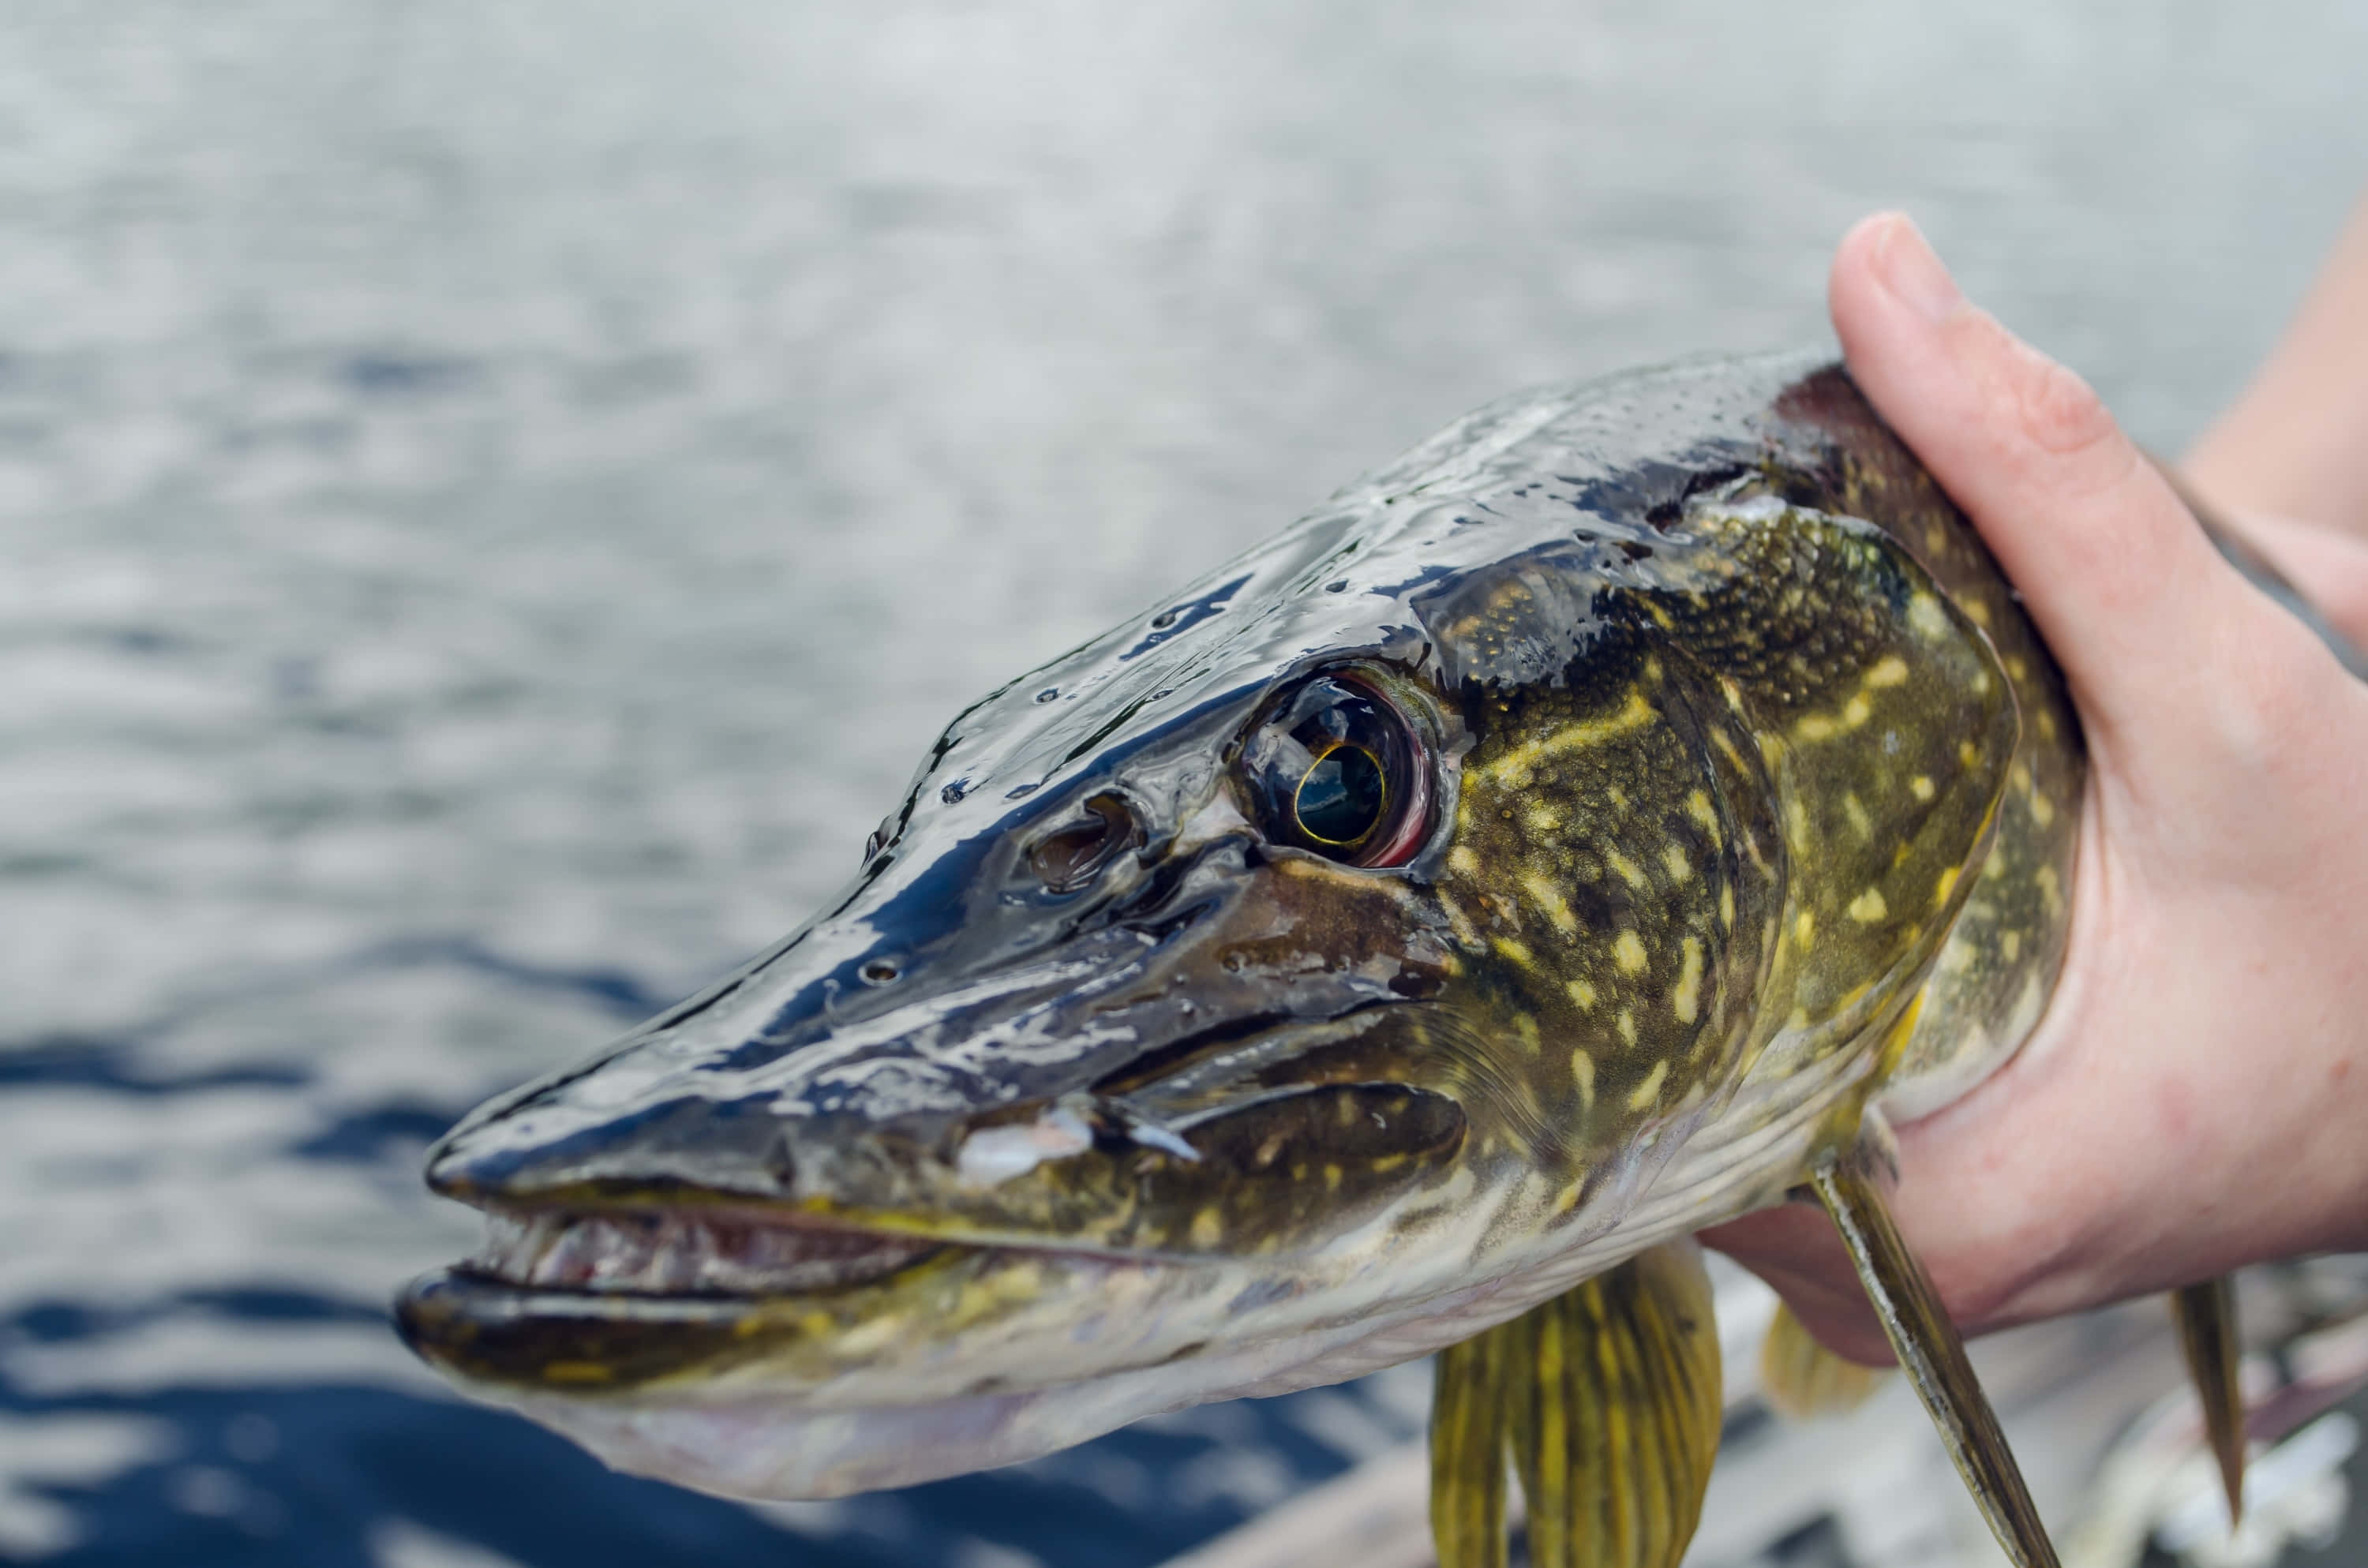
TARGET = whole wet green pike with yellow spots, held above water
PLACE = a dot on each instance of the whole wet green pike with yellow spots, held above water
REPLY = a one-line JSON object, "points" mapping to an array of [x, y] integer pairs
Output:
{"points": [[1574, 835]]}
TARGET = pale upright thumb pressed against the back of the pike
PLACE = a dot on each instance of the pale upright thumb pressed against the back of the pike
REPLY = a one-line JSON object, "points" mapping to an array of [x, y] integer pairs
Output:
{"points": [[2106, 558]]}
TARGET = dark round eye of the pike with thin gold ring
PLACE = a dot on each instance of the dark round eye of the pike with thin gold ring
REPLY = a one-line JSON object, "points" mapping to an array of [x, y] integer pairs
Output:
{"points": [[1337, 769]]}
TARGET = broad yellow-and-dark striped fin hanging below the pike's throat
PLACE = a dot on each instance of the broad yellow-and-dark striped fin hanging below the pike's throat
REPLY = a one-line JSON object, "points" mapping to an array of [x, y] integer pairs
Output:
{"points": [[1609, 1399]]}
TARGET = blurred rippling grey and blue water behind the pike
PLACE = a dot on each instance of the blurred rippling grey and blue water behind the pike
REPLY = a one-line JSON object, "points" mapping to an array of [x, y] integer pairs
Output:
{"points": [[494, 501]]}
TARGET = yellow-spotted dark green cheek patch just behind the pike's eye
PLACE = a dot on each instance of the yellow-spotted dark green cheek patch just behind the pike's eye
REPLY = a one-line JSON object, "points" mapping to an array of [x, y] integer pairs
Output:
{"points": [[1604, 852]]}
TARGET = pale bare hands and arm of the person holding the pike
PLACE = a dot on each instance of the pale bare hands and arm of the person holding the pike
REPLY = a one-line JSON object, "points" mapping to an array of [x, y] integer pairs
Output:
{"points": [[2196, 1095]]}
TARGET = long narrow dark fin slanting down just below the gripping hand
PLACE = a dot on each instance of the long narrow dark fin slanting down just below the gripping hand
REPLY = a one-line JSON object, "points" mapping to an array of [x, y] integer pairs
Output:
{"points": [[1933, 1356]]}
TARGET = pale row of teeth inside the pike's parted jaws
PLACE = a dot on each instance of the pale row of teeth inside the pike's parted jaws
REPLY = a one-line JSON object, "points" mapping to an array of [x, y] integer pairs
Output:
{"points": [[683, 1254]]}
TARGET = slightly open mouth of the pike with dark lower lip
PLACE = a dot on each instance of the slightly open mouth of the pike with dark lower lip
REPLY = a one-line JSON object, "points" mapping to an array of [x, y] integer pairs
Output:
{"points": [[629, 1299]]}
